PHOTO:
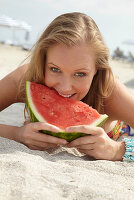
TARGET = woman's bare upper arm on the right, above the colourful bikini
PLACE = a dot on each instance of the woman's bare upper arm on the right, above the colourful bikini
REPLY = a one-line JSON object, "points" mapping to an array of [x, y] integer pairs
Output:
{"points": [[120, 105]]}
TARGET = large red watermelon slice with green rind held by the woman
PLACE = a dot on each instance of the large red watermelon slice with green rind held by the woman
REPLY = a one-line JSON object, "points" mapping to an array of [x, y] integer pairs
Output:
{"points": [[46, 105]]}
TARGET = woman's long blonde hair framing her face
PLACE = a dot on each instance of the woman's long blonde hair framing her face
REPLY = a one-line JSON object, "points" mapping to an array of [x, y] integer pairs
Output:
{"points": [[71, 29]]}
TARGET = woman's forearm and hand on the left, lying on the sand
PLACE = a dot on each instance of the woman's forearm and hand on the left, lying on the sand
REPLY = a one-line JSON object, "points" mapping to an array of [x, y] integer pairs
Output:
{"points": [[30, 136]]}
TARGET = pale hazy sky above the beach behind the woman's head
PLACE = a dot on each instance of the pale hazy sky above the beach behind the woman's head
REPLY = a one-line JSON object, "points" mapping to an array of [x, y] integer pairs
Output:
{"points": [[113, 17]]}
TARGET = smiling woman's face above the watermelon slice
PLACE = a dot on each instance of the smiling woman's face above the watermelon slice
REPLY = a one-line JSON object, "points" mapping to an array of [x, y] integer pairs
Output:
{"points": [[70, 71]]}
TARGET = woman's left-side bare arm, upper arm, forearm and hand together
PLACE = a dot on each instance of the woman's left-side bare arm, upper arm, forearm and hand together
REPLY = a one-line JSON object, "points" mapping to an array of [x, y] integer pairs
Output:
{"points": [[28, 134]]}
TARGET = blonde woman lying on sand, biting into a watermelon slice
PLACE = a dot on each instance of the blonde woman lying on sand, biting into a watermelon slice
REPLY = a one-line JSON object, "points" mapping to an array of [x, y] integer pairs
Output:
{"points": [[72, 58]]}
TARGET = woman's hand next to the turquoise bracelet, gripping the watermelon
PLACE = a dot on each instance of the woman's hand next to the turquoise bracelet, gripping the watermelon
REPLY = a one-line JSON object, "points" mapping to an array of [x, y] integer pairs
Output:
{"points": [[97, 143]]}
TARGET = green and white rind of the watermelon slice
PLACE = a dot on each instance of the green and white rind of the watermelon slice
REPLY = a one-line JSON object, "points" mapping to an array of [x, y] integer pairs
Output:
{"points": [[67, 136]]}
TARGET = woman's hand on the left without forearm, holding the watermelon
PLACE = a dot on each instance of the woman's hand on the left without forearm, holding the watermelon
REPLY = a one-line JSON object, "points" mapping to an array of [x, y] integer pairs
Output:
{"points": [[30, 136]]}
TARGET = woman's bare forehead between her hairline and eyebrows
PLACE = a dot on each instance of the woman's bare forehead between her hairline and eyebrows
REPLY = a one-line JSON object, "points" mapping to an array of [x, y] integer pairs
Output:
{"points": [[75, 56]]}
